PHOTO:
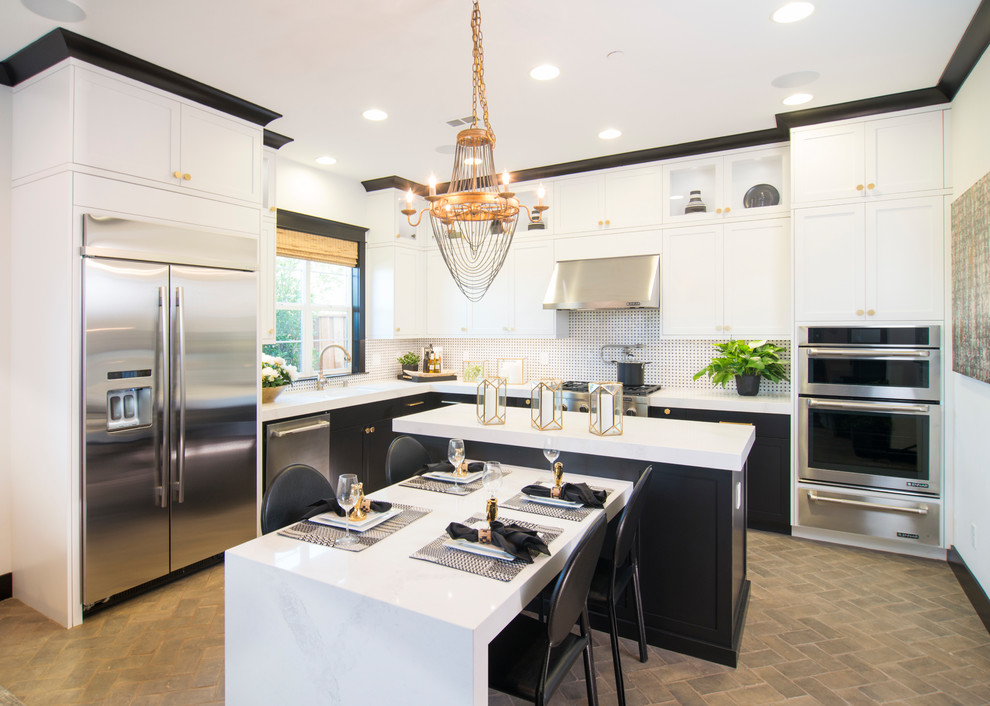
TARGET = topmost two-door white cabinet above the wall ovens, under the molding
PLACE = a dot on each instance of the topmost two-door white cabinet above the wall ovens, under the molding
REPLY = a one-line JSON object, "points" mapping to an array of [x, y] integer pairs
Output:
{"points": [[868, 159]]}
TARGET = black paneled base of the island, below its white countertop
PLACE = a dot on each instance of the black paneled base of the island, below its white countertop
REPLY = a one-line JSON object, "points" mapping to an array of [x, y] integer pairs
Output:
{"points": [[692, 548]]}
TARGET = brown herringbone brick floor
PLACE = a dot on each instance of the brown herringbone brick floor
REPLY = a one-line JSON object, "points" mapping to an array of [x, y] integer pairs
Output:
{"points": [[826, 625]]}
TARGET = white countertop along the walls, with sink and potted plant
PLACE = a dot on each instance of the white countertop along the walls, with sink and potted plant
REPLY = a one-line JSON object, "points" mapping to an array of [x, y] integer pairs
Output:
{"points": [[294, 404]]}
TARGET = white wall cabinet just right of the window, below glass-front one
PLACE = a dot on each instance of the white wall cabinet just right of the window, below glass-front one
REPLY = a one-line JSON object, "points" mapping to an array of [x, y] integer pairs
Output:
{"points": [[396, 291]]}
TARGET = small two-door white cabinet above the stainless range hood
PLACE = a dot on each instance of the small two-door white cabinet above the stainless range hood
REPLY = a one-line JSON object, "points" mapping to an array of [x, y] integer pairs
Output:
{"points": [[628, 198]]}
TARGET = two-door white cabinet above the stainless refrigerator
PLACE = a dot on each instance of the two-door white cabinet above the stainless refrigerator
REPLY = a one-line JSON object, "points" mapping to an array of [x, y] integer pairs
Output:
{"points": [[146, 134]]}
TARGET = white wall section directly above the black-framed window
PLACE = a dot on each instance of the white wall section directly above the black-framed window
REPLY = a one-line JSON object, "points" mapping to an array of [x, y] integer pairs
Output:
{"points": [[317, 192]]}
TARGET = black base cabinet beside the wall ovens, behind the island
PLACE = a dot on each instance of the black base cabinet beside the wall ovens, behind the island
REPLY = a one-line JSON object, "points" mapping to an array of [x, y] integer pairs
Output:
{"points": [[768, 482]]}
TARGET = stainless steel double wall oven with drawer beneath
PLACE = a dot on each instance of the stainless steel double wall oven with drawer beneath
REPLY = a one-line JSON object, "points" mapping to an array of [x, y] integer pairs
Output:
{"points": [[870, 430]]}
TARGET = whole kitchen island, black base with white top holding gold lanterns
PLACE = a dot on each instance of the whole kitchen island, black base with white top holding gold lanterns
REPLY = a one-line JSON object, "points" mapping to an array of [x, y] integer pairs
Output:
{"points": [[693, 532]]}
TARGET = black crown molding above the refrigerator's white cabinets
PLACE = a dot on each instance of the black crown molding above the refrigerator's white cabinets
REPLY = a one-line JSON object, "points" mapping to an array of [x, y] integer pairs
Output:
{"points": [[60, 44]]}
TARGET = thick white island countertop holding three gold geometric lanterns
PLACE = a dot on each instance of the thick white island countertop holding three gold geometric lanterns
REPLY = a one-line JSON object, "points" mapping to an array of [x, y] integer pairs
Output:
{"points": [[721, 446]]}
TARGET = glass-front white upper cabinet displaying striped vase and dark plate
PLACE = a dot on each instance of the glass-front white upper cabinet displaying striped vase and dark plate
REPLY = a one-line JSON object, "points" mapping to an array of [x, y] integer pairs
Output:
{"points": [[745, 185]]}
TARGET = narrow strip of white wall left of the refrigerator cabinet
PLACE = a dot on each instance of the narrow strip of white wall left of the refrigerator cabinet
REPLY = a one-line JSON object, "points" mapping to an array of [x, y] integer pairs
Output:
{"points": [[5, 145]]}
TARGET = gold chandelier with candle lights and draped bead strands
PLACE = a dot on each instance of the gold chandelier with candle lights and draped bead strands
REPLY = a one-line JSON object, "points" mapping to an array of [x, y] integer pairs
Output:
{"points": [[474, 222]]}
